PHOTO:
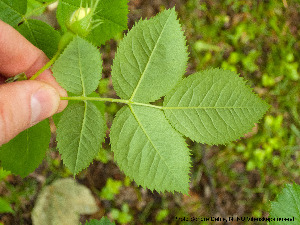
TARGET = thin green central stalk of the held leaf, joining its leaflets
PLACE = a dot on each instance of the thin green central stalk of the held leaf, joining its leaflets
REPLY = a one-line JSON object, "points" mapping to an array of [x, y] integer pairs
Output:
{"points": [[128, 102]]}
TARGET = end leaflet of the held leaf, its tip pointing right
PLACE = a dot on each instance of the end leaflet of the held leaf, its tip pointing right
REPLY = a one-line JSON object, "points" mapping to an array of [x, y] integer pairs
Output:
{"points": [[213, 107]]}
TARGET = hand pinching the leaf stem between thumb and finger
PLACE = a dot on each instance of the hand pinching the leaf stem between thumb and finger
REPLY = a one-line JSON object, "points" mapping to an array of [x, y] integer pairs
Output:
{"points": [[24, 103]]}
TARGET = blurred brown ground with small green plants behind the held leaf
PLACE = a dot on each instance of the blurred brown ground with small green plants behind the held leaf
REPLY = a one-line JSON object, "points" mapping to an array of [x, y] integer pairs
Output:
{"points": [[258, 39]]}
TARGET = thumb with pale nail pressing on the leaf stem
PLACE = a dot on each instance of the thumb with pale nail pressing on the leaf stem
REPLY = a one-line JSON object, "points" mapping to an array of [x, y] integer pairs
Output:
{"points": [[23, 104]]}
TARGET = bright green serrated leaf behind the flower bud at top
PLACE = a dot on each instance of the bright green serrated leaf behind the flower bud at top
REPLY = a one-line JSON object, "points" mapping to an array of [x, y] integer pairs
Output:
{"points": [[112, 14]]}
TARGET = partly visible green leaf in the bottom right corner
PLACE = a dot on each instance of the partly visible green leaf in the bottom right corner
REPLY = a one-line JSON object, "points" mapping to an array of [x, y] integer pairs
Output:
{"points": [[287, 205]]}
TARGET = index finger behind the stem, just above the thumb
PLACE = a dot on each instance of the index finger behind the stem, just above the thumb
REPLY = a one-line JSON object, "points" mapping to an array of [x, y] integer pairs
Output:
{"points": [[17, 55]]}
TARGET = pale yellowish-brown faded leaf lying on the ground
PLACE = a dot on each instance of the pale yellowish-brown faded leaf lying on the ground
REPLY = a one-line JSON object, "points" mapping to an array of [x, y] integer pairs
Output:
{"points": [[62, 202]]}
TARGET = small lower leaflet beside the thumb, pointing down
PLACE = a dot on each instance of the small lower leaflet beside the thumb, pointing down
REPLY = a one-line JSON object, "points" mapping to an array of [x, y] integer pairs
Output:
{"points": [[80, 133]]}
